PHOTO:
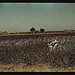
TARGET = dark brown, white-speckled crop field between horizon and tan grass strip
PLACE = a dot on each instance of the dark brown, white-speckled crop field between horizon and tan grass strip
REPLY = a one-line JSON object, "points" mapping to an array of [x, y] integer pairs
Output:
{"points": [[33, 49]]}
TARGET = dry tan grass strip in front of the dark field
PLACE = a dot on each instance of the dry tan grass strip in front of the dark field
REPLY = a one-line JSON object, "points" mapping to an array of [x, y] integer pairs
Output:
{"points": [[36, 68]]}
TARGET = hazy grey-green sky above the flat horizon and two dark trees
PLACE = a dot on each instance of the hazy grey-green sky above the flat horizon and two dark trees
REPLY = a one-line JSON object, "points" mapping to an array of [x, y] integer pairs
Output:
{"points": [[18, 17]]}
